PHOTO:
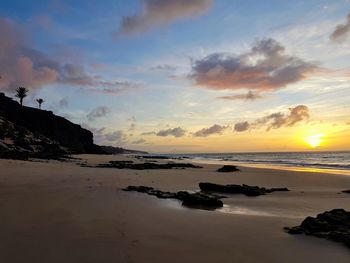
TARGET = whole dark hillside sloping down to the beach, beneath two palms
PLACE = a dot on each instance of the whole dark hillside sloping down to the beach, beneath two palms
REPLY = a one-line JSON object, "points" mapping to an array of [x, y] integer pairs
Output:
{"points": [[26, 131]]}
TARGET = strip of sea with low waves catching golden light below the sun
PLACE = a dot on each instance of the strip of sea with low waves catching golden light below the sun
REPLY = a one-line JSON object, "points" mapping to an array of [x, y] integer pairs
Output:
{"points": [[313, 160]]}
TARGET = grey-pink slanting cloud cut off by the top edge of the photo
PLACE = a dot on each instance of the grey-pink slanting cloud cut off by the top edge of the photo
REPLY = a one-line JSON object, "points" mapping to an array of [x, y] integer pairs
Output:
{"points": [[158, 13]]}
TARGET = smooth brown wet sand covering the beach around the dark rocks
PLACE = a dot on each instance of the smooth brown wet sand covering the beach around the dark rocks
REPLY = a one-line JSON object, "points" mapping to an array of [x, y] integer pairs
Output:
{"points": [[61, 212]]}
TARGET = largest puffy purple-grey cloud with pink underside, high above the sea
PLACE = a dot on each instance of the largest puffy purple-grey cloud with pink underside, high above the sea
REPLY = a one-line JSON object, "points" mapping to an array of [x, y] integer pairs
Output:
{"points": [[265, 67]]}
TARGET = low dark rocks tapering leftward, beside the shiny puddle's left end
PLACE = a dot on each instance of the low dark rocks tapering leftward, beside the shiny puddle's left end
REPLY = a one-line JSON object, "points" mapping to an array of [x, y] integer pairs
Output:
{"points": [[193, 200]]}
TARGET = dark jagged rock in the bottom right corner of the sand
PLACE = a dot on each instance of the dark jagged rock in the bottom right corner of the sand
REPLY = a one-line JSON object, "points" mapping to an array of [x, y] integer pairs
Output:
{"points": [[333, 225]]}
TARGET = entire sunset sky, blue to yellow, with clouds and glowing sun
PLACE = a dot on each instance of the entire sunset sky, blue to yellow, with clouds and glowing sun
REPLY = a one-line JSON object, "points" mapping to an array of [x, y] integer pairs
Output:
{"points": [[186, 75]]}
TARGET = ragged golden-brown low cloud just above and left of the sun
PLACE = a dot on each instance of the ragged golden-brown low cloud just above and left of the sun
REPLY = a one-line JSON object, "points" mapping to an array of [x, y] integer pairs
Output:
{"points": [[276, 120]]}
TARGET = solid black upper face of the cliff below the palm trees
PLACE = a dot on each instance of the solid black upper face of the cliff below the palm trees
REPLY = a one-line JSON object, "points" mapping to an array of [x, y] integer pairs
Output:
{"points": [[42, 123]]}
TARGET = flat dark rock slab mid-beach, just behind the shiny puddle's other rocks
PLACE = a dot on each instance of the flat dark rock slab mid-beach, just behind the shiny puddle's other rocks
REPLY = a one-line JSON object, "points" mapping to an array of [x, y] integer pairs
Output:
{"points": [[238, 189]]}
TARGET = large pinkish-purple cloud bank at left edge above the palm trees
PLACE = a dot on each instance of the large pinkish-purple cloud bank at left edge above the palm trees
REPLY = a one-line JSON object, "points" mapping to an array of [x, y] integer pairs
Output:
{"points": [[23, 65]]}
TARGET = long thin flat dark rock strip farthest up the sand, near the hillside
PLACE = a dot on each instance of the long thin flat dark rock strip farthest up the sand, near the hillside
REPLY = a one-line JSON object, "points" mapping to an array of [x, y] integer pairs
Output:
{"points": [[145, 166]]}
